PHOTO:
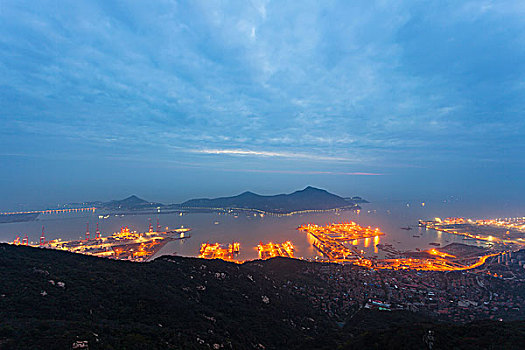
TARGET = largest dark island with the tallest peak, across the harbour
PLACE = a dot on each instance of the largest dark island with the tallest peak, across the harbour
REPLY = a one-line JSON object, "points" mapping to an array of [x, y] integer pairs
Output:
{"points": [[310, 198]]}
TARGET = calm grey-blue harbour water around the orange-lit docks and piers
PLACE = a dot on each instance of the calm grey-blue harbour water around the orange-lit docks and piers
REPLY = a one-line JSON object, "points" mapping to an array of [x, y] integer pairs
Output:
{"points": [[249, 230]]}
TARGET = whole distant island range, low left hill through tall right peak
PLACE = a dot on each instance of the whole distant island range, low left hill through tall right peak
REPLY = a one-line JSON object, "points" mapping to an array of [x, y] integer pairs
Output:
{"points": [[310, 198]]}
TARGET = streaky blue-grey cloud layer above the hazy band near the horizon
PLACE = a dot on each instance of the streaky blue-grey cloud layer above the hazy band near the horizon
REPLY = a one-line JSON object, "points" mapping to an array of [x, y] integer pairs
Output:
{"points": [[363, 82]]}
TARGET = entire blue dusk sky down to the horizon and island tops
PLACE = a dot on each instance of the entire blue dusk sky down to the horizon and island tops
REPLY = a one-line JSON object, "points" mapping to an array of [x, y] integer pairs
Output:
{"points": [[172, 100]]}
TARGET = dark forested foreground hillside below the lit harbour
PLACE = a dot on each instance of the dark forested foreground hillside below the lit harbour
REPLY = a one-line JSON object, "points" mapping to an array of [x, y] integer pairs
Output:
{"points": [[59, 300]]}
